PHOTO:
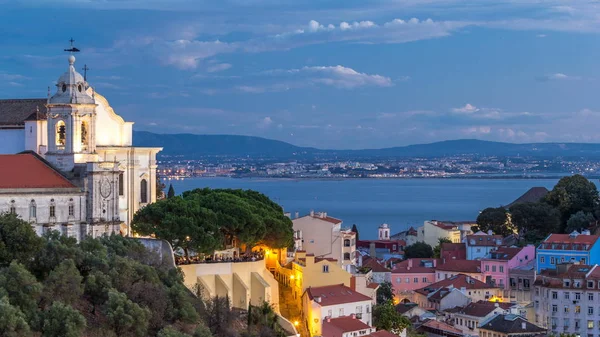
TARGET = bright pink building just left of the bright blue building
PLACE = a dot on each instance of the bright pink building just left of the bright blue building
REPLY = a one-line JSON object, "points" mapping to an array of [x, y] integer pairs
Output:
{"points": [[496, 264]]}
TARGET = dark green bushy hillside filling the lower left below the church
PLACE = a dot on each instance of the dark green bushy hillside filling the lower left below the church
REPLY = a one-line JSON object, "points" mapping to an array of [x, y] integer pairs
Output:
{"points": [[110, 286]]}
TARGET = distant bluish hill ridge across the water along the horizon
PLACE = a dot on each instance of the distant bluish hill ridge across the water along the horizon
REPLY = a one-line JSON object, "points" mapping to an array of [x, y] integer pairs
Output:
{"points": [[194, 146]]}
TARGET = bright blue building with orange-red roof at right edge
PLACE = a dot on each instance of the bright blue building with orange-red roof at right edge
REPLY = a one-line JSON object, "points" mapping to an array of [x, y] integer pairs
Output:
{"points": [[576, 247]]}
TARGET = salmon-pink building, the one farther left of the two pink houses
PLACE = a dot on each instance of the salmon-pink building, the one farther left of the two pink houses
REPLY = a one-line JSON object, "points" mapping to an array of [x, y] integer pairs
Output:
{"points": [[412, 274]]}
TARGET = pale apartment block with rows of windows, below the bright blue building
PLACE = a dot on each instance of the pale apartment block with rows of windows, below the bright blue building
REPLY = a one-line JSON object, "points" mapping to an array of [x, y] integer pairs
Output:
{"points": [[568, 300]]}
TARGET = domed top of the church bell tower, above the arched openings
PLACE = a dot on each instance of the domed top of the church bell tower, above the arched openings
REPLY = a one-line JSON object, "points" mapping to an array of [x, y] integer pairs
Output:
{"points": [[71, 87]]}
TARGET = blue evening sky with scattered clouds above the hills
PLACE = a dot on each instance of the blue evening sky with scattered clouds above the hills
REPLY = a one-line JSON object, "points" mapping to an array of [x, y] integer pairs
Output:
{"points": [[330, 74]]}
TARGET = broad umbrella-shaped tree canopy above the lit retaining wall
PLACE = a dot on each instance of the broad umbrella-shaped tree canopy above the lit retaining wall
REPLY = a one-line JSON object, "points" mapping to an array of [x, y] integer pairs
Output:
{"points": [[202, 219]]}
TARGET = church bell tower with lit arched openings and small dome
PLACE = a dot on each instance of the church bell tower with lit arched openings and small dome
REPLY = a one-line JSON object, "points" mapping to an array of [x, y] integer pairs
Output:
{"points": [[71, 121]]}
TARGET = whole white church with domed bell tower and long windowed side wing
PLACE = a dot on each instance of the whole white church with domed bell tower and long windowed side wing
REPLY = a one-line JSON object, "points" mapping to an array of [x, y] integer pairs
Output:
{"points": [[77, 134]]}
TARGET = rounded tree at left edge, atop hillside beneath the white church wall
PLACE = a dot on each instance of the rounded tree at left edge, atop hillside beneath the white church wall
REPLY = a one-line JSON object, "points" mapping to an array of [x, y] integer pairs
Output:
{"points": [[18, 241]]}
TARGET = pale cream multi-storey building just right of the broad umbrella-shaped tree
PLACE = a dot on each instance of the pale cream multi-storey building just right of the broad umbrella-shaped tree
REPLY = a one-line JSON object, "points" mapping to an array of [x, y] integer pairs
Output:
{"points": [[324, 236]]}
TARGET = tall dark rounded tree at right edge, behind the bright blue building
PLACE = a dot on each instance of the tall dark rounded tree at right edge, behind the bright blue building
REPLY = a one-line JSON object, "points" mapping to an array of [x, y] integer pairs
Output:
{"points": [[571, 195]]}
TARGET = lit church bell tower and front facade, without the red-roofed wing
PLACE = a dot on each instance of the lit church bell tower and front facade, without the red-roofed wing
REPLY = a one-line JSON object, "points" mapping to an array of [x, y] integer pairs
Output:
{"points": [[79, 134]]}
